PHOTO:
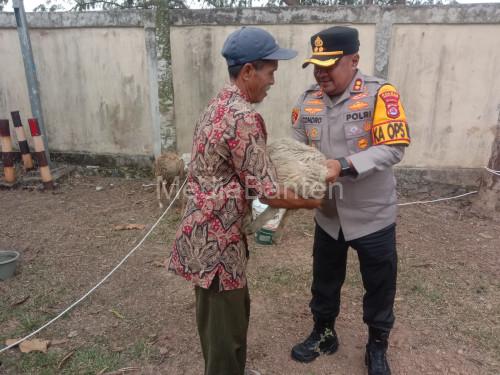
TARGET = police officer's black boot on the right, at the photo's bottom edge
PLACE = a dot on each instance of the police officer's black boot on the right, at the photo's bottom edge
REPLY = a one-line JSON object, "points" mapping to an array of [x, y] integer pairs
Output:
{"points": [[376, 353]]}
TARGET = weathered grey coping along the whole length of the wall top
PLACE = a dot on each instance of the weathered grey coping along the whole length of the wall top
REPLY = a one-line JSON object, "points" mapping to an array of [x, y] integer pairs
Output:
{"points": [[450, 14]]}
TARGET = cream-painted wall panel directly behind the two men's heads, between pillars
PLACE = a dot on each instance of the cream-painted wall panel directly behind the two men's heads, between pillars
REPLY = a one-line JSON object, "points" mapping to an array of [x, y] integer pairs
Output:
{"points": [[199, 71]]}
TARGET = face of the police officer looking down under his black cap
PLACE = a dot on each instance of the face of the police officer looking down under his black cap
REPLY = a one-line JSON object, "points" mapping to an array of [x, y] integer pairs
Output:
{"points": [[335, 79]]}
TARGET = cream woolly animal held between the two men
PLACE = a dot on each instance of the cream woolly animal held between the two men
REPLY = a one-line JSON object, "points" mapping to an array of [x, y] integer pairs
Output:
{"points": [[299, 168]]}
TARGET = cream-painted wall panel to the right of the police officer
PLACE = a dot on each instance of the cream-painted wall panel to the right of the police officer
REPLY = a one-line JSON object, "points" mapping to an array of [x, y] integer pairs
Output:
{"points": [[449, 77]]}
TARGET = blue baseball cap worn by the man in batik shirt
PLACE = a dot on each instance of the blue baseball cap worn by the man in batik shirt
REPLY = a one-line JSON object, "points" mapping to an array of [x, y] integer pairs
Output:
{"points": [[251, 44]]}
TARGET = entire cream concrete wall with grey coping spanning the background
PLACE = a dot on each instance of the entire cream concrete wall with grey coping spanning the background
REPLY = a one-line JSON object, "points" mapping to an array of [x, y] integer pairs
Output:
{"points": [[130, 83]]}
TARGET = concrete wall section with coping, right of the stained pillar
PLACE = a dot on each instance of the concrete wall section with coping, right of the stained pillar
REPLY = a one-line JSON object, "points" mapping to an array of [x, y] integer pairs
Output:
{"points": [[444, 60]]}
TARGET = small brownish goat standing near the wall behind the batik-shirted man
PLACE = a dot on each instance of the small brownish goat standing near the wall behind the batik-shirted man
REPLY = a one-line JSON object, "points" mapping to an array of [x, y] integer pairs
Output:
{"points": [[170, 173]]}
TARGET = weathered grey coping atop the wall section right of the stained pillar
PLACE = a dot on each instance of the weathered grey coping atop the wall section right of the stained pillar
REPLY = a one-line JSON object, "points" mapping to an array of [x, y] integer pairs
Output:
{"points": [[450, 14]]}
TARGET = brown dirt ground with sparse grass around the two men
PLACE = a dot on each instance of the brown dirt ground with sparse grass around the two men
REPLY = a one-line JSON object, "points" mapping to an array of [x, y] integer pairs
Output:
{"points": [[447, 306]]}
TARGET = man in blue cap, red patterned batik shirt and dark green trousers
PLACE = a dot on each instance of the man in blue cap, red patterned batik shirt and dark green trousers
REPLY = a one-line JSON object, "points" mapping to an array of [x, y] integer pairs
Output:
{"points": [[228, 164]]}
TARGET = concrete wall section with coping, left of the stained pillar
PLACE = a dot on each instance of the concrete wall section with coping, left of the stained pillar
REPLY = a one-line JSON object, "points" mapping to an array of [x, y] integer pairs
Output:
{"points": [[97, 77]]}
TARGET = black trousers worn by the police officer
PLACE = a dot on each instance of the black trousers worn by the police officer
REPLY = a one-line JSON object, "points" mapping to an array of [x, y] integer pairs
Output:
{"points": [[378, 265]]}
